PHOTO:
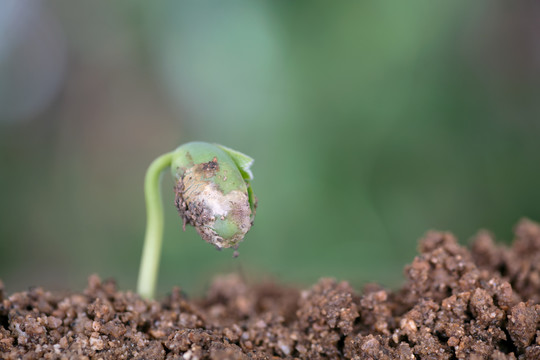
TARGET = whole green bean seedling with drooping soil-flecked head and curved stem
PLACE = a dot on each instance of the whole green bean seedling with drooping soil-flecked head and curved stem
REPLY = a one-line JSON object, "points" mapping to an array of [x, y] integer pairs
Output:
{"points": [[212, 193]]}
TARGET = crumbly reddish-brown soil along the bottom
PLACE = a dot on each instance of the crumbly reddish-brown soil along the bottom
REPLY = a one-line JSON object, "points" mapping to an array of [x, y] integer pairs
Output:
{"points": [[457, 303]]}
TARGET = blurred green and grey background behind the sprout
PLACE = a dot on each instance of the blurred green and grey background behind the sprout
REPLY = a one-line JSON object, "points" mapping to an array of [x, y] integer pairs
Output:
{"points": [[371, 122]]}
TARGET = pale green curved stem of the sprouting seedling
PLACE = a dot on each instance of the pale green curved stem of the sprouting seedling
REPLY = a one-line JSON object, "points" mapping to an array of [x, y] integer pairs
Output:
{"points": [[149, 268]]}
